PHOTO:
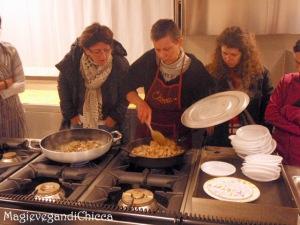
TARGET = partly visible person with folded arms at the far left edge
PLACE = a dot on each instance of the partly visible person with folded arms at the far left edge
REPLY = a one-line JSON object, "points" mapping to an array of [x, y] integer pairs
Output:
{"points": [[12, 82]]}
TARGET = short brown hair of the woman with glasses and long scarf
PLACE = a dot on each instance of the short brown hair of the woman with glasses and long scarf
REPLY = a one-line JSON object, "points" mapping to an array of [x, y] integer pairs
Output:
{"points": [[95, 33]]}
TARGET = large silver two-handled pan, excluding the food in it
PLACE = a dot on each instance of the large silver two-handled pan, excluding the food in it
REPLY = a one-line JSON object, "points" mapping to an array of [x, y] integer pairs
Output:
{"points": [[50, 144]]}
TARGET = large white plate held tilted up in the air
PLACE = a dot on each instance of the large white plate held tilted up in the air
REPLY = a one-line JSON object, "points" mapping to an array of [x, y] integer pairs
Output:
{"points": [[215, 109]]}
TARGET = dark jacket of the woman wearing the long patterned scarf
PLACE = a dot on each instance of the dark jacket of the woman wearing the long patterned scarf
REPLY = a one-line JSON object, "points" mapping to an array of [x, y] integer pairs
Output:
{"points": [[71, 86]]}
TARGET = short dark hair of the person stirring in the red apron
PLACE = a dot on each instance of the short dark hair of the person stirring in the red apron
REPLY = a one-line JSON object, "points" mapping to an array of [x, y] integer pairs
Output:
{"points": [[163, 28]]}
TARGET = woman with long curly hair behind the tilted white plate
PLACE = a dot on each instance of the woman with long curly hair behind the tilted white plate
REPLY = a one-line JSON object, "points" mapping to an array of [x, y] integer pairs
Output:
{"points": [[236, 66]]}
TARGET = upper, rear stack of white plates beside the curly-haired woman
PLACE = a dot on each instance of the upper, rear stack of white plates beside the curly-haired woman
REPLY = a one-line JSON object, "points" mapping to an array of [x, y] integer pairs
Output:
{"points": [[252, 139]]}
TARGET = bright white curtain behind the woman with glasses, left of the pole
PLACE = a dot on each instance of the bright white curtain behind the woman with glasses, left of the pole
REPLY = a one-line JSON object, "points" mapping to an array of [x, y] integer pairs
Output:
{"points": [[43, 30]]}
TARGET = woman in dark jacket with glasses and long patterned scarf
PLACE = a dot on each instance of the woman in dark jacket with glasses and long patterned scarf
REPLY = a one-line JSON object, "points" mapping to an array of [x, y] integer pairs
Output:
{"points": [[90, 81]]}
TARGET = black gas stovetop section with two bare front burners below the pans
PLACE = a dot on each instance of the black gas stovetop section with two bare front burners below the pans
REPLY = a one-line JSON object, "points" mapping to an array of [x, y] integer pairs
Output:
{"points": [[109, 184]]}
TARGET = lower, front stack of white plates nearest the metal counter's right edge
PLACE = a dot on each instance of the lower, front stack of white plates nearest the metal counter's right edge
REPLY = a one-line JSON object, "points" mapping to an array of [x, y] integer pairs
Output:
{"points": [[262, 167]]}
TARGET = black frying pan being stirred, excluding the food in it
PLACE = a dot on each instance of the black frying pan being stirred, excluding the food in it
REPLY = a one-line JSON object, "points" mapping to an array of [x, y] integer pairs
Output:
{"points": [[152, 162]]}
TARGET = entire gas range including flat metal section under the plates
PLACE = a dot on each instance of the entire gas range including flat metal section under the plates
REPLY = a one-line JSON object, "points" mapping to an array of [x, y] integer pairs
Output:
{"points": [[114, 187]]}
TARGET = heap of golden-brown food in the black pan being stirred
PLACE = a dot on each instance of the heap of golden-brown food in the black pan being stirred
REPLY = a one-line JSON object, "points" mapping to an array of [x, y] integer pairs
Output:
{"points": [[155, 150]]}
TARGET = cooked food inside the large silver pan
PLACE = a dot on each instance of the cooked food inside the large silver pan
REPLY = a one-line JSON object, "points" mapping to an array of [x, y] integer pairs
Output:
{"points": [[80, 145]]}
